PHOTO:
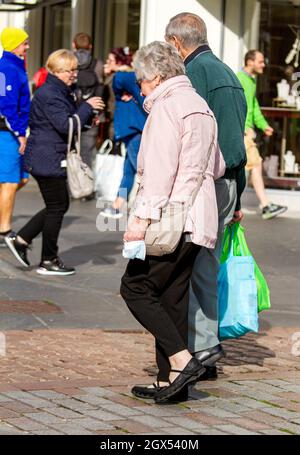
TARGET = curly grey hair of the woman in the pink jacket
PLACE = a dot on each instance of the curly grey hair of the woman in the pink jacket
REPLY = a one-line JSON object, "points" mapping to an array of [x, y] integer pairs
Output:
{"points": [[158, 59]]}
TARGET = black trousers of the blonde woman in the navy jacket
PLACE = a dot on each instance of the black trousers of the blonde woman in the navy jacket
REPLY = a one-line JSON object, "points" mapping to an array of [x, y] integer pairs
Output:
{"points": [[49, 220]]}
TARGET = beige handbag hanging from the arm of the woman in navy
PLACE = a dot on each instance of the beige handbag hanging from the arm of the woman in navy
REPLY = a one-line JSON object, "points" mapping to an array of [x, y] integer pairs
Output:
{"points": [[80, 176]]}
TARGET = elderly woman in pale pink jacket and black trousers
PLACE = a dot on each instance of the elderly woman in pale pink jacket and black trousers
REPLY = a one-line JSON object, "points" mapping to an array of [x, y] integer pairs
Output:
{"points": [[174, 150]]}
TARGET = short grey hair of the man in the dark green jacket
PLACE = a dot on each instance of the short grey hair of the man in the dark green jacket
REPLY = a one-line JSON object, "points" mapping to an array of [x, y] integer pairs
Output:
{"points": [[189, 29]]}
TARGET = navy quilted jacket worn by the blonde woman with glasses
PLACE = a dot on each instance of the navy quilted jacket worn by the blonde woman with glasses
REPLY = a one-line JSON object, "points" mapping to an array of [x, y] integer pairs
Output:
{"points": [[52, 106]]}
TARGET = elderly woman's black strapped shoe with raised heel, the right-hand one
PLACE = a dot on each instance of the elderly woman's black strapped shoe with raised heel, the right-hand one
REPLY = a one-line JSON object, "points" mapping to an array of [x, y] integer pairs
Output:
{"points": [[190, 374]]}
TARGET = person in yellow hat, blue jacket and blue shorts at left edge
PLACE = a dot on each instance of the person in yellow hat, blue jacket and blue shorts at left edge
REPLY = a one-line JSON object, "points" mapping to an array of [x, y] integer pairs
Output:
{"points": [[14, 118]]}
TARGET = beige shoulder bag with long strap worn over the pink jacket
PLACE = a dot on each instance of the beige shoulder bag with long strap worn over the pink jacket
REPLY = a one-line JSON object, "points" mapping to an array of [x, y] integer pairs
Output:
{"points": [[163, 236]]}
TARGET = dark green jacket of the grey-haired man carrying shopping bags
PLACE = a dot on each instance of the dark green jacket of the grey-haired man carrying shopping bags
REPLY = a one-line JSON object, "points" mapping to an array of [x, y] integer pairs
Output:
{"points": [[219, 86]]}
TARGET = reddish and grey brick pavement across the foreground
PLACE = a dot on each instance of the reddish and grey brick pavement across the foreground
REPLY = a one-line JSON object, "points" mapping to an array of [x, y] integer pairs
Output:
{"points": [[78, 382]]}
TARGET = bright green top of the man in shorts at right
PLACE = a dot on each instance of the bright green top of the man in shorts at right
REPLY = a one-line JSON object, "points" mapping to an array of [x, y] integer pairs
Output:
{"points": [[255, 117]]}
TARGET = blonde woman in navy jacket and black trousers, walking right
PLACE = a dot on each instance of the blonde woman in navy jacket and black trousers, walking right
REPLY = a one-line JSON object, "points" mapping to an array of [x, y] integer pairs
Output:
{"points": [[45, 158]]}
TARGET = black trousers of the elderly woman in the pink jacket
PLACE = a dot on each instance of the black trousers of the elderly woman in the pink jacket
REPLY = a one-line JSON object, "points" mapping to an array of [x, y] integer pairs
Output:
{"points": [[156, 291]]}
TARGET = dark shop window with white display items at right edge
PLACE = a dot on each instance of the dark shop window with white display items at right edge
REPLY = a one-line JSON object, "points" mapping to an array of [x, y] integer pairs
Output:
{"points": [[279, 90]]}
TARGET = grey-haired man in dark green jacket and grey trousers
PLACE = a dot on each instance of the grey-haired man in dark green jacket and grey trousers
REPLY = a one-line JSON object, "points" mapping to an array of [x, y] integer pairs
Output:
{"points": [[219, 86]]}
